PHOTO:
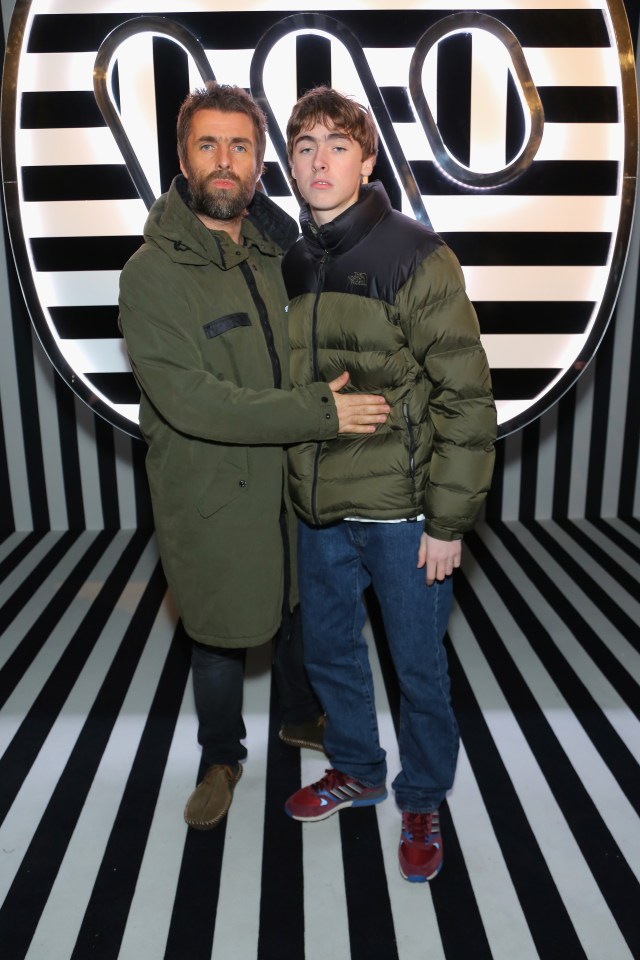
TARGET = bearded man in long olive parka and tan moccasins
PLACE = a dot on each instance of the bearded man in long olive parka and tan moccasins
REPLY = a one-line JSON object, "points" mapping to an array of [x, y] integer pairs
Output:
{"points": [[202, 312]]}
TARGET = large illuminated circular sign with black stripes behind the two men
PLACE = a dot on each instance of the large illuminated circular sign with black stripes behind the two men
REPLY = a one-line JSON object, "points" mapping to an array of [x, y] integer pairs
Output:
{"points": [[511, 130]]}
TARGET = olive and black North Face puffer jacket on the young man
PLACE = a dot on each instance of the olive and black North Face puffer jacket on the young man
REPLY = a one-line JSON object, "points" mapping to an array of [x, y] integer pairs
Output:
{"points": [[380, 295]]}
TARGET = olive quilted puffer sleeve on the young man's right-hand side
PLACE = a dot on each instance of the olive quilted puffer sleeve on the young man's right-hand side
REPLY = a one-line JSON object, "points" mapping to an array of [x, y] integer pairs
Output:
{"points": [[444, 336]]}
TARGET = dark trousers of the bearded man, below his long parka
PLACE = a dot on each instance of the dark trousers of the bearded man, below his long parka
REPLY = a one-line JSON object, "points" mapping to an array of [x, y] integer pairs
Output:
{"points": [[218, 681]]}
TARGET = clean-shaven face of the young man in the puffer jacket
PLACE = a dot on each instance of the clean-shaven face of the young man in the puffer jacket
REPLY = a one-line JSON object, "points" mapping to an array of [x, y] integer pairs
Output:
{"points": [[328, 167]]}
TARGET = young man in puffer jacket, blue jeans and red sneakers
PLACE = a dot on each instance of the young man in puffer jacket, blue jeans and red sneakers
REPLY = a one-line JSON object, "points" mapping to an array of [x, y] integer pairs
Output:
{"points": [[374, 290]]}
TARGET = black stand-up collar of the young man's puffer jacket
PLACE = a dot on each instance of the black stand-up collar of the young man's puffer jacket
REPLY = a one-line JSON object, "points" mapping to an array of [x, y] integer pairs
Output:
{"points": [[350, 227]]}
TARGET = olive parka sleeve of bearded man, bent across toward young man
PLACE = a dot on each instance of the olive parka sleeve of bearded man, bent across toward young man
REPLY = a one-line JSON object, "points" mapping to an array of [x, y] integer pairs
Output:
{"points": [[168, 368]]}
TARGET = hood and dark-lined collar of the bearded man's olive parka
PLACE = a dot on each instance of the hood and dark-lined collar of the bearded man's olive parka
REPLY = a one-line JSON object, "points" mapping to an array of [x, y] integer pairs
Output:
{"points": [[184, 238]]}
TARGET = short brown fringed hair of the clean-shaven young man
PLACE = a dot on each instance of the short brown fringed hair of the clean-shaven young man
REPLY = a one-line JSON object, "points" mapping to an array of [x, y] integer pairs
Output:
{"points": [[327, 106]]}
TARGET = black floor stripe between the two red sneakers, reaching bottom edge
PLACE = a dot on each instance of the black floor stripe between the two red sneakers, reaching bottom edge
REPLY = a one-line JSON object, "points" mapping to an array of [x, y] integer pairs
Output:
{"points": [[371, 932]]}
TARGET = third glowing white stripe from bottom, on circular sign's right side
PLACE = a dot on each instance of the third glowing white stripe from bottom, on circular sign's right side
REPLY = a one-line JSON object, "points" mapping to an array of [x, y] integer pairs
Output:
{"points": [[535, 283]]}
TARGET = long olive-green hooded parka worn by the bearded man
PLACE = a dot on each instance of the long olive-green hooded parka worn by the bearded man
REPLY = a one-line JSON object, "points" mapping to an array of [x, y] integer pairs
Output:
{"points": [[204, 324]]}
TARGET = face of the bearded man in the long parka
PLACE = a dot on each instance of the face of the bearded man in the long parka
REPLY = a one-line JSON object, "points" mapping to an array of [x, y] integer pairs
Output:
{"points": [[220, 164]]}
